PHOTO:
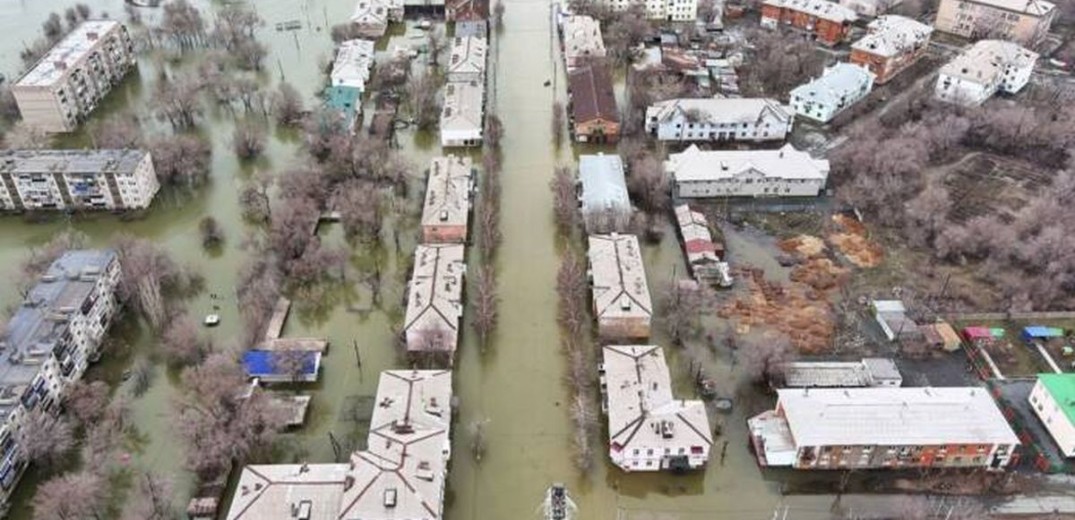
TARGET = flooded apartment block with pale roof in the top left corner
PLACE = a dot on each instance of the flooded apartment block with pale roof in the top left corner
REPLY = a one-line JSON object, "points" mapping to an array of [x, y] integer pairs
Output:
{"points": [[73, 79]]}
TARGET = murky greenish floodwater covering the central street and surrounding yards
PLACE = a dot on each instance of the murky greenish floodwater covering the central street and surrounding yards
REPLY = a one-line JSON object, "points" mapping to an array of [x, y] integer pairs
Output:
{"points": [[518, 385]]}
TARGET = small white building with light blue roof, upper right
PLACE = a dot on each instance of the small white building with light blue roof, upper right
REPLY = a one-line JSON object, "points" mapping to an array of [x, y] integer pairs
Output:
{"points": [[839, 88]]}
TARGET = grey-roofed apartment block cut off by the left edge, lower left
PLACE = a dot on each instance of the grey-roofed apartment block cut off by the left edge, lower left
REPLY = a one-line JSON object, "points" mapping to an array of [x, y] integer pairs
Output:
{"points": [[49, 343]]}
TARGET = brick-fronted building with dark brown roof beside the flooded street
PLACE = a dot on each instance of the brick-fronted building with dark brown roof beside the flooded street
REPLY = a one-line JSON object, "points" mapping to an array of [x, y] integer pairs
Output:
{"points": [[595, 118]]}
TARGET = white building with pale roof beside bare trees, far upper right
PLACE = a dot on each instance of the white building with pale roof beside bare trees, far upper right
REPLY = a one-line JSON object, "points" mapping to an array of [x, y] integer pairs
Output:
{"points": [[986, 68]]}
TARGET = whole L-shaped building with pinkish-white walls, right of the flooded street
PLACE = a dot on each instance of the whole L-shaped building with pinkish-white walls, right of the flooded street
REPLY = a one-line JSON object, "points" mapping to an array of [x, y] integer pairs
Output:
{"points": [[649, 429]]}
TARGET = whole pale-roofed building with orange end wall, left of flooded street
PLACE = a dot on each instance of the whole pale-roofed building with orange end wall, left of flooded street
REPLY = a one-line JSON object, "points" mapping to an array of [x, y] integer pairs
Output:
{"points": [[450, 192]]}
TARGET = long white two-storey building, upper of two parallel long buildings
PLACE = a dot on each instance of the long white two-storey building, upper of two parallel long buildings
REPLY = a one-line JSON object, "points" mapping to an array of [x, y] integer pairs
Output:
{"points": [[748, 120]]}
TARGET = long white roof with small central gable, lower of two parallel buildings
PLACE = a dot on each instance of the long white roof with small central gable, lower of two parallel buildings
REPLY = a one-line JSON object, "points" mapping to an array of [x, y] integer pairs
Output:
{"points": [[787, 163]]}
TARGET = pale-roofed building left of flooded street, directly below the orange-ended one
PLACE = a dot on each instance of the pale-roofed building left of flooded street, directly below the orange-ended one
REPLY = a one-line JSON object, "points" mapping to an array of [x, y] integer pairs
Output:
{"points": [[435, 301]]}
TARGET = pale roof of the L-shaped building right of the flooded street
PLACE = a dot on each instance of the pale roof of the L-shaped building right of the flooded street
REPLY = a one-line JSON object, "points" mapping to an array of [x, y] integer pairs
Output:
{"points": [[640, 401]]}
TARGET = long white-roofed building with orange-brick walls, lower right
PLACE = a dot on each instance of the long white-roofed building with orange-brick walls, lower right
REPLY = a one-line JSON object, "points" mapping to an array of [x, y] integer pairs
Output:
{"points": [[890, 428]]}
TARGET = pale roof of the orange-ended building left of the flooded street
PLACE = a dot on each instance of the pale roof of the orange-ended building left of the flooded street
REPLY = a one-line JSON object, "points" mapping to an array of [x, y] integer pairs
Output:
{"points": [[448, 192]]}
